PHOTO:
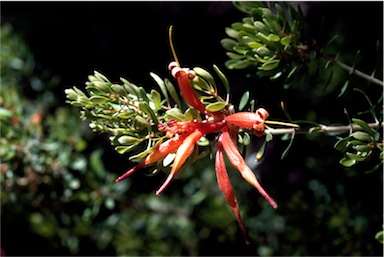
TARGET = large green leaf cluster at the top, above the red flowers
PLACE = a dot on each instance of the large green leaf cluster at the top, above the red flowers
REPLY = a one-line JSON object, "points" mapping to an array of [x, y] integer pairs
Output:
{"points": [[268, 40]]}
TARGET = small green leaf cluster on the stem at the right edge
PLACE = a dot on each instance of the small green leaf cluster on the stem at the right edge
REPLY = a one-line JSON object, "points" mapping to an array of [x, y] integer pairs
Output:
{"points": [[359, 145]]}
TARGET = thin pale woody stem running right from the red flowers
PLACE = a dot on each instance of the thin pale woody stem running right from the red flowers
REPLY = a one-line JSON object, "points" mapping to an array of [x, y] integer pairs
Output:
{"points": [[318, 129]]}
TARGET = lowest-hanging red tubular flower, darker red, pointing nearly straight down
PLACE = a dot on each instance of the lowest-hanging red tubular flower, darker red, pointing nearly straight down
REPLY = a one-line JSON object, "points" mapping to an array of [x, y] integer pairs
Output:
{"points": [[226, 187]]}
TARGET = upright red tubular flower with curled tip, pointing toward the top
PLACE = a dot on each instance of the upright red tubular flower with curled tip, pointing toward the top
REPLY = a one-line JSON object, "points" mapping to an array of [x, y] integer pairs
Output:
{"points": [[183, 77]]}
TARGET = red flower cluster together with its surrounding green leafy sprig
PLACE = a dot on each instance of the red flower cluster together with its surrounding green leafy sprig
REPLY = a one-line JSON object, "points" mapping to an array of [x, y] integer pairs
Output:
{"points": [[169, 139]]}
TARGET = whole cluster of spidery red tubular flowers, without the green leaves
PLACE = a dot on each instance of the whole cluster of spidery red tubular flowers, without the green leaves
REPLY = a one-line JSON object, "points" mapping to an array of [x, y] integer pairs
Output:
{"points": [[184, 135]]}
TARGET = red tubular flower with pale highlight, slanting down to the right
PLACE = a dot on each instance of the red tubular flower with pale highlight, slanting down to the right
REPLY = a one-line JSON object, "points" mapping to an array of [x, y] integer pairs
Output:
{"points": [[238, 162]]}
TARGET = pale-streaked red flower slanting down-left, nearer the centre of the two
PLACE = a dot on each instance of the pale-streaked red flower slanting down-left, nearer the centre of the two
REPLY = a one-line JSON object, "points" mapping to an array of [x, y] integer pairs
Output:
{"points": [[184, 151]]}
